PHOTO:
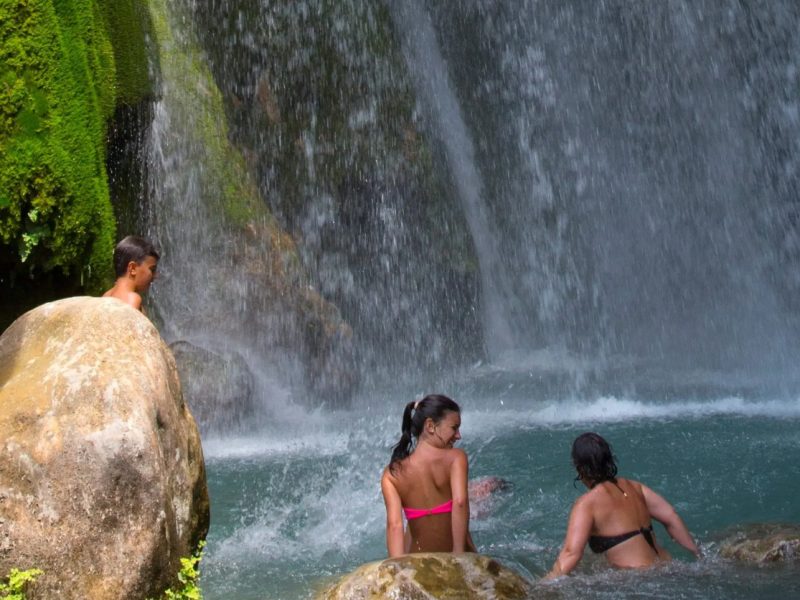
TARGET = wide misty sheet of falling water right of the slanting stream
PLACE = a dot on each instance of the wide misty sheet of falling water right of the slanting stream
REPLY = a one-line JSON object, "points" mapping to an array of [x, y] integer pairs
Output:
{"points": [[627, 159]]}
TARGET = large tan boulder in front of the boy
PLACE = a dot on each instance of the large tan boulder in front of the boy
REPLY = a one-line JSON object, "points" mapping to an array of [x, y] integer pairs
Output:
{"points": [[102, 480]]}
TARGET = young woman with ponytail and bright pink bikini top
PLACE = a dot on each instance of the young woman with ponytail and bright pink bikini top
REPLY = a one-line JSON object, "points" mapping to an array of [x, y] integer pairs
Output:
{"points": [[427, 481]]}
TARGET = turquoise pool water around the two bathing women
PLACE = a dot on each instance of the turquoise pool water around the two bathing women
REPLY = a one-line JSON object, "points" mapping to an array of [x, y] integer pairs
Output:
{"points": [[300, 503]]}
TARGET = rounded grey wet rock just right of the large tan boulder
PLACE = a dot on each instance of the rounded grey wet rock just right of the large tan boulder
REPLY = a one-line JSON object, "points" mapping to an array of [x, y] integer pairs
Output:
{"points": [[217, 386]]}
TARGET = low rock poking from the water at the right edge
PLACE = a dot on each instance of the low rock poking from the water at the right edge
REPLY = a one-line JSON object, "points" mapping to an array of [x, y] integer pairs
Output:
{"points": [[763, 543]]}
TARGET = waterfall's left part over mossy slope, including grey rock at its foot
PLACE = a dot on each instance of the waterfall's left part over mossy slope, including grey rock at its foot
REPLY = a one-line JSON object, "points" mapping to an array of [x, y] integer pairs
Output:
{"points": [[249, 331]]}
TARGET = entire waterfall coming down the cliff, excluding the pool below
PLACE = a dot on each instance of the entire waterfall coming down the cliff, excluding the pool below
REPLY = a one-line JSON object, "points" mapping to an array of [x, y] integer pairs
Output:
{"points": [[576, 186]]}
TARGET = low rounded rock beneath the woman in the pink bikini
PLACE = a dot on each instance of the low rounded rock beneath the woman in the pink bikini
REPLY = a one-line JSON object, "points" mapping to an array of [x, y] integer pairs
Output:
{"points": [[439, 576]]}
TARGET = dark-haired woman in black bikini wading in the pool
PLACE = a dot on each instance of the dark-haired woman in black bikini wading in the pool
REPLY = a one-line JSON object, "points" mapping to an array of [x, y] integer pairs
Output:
{"points": [[615, 516]]}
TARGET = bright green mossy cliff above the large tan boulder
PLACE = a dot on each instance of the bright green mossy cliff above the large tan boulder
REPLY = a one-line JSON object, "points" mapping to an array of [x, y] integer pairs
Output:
{"points": [[65, 66]]}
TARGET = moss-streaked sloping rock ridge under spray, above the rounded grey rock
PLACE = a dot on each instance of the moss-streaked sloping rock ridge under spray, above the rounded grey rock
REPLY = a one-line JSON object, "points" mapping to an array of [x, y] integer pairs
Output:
{"points": [[210, 209]]}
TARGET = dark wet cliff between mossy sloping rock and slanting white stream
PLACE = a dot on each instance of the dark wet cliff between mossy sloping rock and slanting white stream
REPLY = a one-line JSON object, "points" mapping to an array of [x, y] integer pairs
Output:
{"points": [[319, 100]]}
